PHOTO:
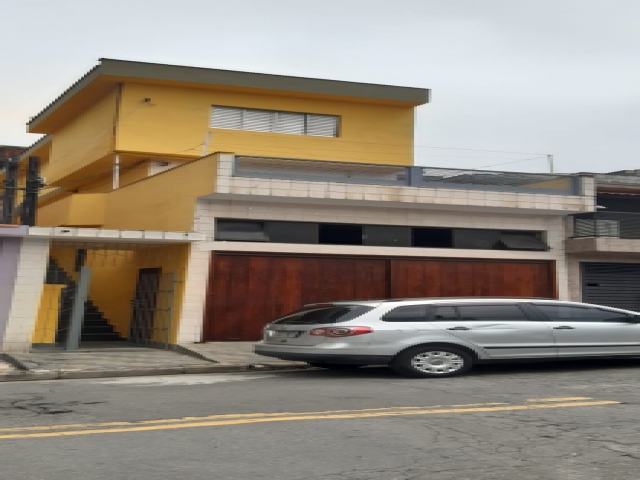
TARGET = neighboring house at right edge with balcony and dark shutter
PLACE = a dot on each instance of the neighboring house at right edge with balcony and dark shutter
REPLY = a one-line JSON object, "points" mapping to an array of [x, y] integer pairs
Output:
{"points": [[604, 248]]}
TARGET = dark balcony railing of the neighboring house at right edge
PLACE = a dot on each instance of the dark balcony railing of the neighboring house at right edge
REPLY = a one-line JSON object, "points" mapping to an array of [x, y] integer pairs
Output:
{"points": [[606, 224]]}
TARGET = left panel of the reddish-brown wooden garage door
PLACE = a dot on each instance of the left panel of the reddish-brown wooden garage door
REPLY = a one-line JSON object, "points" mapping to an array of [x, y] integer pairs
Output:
{"points": [[245, 292]]}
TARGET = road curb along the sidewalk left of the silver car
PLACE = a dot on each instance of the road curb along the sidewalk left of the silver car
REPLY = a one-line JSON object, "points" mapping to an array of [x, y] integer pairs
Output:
{"points": [[22, 376]]}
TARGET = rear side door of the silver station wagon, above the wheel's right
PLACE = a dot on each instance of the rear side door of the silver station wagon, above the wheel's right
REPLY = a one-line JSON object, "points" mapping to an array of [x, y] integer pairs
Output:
{"points": [[502, 330]]}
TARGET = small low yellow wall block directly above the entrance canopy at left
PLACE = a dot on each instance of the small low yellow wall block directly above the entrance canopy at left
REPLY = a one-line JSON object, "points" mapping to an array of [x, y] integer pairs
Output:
{"points": [[84, 209]]}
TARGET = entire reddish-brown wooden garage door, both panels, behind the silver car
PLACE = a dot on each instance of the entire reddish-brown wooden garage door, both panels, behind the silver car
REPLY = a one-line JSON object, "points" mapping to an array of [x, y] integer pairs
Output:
{"points": [[245, 291]]}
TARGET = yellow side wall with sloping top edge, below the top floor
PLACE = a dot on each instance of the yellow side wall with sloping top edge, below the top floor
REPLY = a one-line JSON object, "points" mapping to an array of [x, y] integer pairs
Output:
{"points": [[165, 201]]}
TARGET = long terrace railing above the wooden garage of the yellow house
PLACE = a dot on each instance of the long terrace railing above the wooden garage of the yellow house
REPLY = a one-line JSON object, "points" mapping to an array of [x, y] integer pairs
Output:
{"points": [[423, 177]]}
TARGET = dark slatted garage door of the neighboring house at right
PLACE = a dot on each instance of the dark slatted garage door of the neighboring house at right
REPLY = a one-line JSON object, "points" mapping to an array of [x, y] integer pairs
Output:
{"points": [[612, 284]]}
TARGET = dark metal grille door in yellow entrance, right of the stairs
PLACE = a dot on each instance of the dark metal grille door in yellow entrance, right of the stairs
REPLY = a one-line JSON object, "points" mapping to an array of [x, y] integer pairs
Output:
{"points": [[144, 304]]}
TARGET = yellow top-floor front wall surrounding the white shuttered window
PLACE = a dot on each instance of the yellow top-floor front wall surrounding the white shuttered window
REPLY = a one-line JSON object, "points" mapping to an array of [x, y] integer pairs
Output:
{"points": [[177, 119]]}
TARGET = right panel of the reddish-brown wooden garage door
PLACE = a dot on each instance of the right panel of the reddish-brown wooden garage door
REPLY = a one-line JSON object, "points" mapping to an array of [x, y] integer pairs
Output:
{"points": [[456, 278]]}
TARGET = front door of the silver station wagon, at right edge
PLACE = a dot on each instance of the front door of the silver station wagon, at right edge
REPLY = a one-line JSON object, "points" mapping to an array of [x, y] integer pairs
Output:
{"points": [[585, 330]]}
